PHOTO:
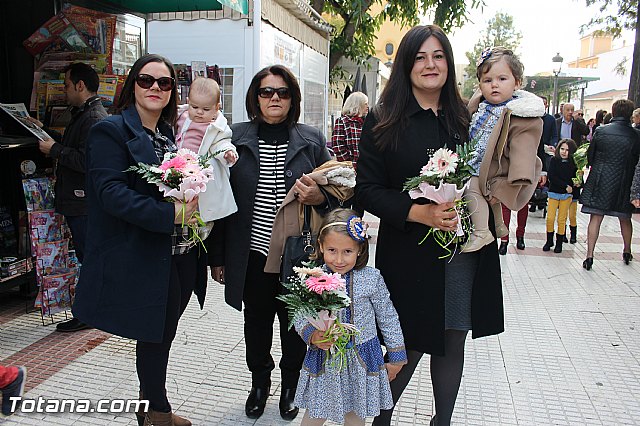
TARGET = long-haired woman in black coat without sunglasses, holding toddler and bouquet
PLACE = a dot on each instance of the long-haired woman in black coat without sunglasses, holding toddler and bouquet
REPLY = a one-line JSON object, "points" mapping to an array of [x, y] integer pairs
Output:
{"points": [[419, 112]]}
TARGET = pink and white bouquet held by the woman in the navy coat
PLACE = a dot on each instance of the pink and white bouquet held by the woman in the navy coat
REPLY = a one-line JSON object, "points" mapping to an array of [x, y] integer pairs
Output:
{"points": [[181, 176]]}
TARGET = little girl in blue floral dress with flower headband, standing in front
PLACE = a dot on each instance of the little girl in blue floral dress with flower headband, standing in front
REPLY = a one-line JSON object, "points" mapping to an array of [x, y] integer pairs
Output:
{"points": [[360, 388]]}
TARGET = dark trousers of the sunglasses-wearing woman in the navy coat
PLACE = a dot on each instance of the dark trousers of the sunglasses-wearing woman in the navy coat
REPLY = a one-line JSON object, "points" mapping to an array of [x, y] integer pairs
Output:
{"points": [[152, 358]]}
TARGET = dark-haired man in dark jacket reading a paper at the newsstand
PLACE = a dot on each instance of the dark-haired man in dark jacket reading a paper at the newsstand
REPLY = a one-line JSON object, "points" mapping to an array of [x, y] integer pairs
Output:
{"points": [[80, 88]]}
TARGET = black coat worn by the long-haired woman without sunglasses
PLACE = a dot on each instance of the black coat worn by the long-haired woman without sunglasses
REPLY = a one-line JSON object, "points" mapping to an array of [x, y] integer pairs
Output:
{"points": [[413, 273]]}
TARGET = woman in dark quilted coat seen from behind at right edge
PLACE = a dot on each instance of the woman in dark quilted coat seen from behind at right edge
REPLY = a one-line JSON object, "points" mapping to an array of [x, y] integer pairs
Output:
{"points": [[612, 155]]}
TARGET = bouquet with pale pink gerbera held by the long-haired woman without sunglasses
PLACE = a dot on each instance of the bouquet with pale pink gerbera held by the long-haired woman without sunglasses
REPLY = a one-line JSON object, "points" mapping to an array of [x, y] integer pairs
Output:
{"points": [[444, 179]]}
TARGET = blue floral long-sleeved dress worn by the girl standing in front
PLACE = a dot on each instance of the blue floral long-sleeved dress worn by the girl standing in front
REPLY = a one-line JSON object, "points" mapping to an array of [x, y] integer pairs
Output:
{"points": [[362, 386]]}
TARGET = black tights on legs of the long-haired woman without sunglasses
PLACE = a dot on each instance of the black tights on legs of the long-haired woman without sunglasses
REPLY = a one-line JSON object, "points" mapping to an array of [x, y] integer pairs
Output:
{"points": [[446, 373]]}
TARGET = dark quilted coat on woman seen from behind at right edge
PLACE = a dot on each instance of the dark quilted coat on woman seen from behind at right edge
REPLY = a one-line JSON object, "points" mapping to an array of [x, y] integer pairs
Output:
{"points": [[612, 155]]}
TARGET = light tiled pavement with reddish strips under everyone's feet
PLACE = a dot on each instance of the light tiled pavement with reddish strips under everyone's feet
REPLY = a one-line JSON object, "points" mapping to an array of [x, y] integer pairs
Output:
{"points": [[570, 354]]}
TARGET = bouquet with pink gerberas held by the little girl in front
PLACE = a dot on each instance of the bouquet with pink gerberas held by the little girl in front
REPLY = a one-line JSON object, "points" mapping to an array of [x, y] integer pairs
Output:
{"points": [[317, 296]]}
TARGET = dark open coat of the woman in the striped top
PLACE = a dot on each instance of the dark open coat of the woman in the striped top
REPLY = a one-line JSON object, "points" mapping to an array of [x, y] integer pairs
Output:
{"points": [[231, 236]]}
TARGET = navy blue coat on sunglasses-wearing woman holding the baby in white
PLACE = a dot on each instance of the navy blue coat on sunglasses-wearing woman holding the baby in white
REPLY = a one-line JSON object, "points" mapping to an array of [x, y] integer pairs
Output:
{"points": [[124, 282]]}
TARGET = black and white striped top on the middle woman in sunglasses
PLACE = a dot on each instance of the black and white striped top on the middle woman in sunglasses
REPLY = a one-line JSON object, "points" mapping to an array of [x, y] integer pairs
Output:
{"points": [[273, 141]]}
